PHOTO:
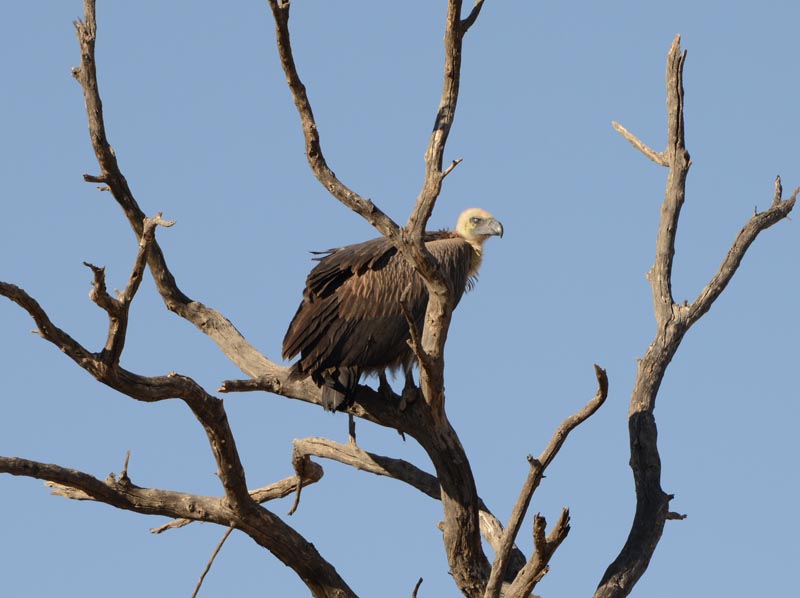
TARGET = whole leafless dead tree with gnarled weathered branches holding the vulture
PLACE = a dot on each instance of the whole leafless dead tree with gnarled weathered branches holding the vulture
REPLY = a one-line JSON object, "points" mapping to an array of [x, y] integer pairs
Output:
{"points": [[466, 519]]}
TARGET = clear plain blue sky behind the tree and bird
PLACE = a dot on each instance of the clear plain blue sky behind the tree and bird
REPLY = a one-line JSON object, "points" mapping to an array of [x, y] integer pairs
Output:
{"points": [[205, 131]]}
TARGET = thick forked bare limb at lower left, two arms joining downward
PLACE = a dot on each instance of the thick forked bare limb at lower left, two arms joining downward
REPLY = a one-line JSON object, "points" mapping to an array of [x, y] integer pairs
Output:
{"points": [[237, 506]]}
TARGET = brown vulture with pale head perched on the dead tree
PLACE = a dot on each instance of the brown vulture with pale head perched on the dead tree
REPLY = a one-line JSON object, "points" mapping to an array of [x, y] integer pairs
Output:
{"points": [[350, 322]]}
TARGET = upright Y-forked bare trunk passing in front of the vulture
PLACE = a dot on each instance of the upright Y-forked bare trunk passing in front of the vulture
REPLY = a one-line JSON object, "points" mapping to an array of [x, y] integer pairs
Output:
{"points": [[468, 563]]}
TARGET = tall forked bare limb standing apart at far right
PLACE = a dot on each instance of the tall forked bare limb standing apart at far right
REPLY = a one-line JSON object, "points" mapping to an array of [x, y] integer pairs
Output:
{"points": [[652, 503]]}
